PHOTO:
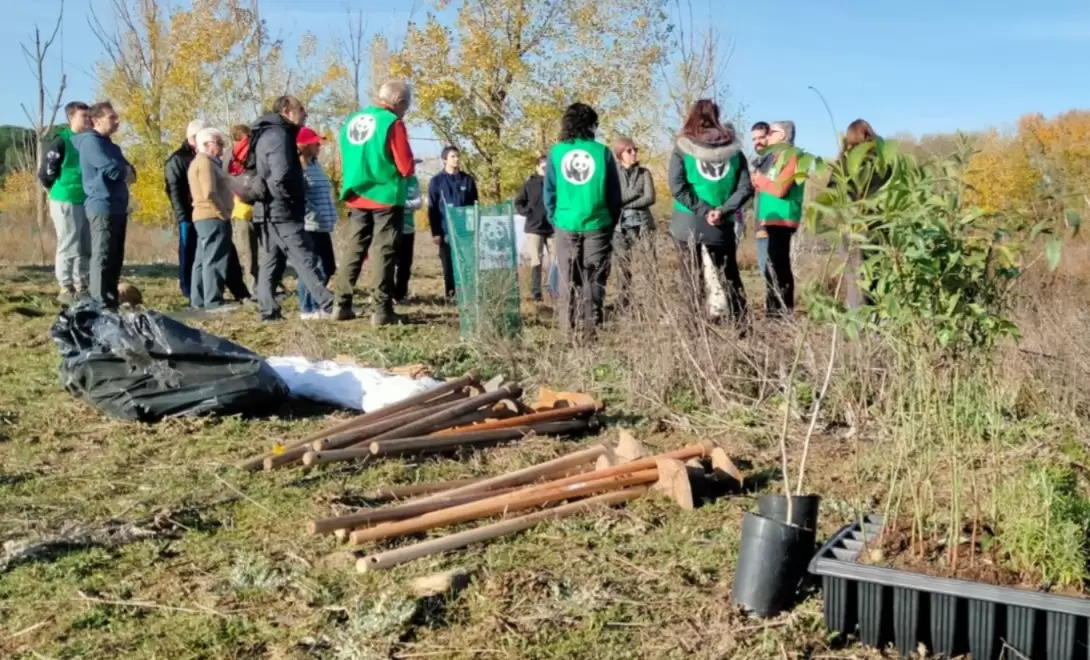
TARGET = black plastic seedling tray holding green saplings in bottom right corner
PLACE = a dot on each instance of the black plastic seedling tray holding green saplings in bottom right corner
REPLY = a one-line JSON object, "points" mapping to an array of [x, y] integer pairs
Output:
{"points": [[950, 617]]}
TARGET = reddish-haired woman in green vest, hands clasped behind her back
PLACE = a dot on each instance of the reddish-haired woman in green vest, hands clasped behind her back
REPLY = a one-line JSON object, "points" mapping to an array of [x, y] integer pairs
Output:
{"points": [[710, 181]]}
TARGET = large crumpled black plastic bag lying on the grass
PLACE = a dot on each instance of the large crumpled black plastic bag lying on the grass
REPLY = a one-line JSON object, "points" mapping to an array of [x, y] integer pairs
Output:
{"points": [[146, 366]]}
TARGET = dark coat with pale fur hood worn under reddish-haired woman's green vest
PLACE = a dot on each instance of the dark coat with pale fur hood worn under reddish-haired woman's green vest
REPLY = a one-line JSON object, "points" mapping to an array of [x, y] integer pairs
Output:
{"points": [[694, 227]]}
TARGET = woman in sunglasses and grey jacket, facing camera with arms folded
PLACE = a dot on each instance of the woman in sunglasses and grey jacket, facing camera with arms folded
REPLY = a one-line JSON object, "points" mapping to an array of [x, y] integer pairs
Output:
{"points": [[637, 228]]}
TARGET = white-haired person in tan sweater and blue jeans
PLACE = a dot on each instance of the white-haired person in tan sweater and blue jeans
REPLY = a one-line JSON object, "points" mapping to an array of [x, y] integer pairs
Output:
{"points": [[212, 221]]}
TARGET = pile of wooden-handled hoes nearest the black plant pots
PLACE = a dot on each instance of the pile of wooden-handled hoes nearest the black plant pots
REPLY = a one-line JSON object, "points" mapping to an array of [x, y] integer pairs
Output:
{"points": [[589, 479]]}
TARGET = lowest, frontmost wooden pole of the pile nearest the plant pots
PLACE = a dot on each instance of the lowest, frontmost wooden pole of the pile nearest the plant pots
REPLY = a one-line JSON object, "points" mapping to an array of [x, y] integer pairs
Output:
{"points": [[453, 542]]}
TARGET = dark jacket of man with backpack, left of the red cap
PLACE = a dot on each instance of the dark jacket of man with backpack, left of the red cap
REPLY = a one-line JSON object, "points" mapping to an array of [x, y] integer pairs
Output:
{"points": [[277, 188]]}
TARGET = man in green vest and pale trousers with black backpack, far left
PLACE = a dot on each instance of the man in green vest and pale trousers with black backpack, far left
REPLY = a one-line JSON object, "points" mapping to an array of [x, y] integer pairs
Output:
{"points": [[60, 176]]}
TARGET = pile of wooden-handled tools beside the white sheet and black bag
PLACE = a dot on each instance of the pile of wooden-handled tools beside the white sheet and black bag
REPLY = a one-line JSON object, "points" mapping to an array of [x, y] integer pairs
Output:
{"points": [[458, 414]]}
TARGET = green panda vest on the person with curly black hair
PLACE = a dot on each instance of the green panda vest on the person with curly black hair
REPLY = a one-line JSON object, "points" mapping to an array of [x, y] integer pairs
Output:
{"points": [[580, 174]]}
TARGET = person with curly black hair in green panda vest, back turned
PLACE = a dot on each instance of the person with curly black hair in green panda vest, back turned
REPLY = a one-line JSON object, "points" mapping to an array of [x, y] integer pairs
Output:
{"points": [[584, 203]]}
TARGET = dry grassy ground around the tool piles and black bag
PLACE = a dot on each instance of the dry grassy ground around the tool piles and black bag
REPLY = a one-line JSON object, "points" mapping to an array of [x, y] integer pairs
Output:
{"points": [[172, 553]]}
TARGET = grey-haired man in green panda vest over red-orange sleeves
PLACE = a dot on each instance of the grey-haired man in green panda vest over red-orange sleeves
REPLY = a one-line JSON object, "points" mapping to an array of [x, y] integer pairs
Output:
{"points": [[377, 164]]}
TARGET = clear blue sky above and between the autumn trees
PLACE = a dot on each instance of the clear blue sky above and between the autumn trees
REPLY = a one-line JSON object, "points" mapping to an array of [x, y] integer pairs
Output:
{"points": [[923, 67]]}
